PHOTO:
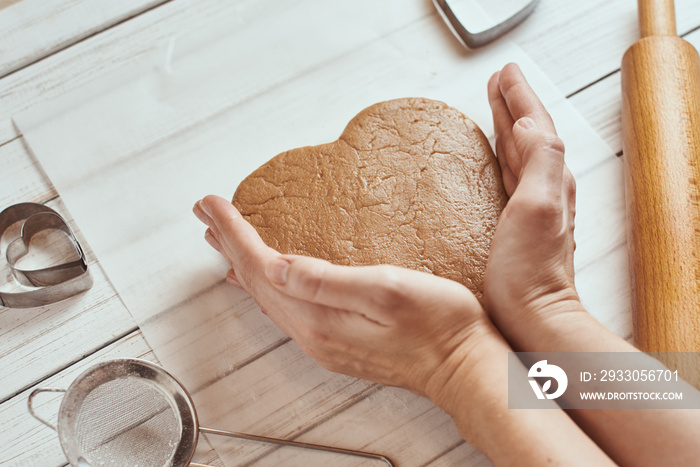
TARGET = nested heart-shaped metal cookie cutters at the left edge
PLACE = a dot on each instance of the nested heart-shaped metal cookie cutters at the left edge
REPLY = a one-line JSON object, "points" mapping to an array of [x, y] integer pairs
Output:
{"points": [[54, 283]]}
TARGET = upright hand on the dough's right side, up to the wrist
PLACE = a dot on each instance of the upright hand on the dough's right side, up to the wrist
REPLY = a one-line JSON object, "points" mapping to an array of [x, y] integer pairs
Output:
{"points": [[530, 273]]}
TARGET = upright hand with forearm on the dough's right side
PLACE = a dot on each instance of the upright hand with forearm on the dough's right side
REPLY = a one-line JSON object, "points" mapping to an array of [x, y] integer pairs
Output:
{"points": [[529, 286]]}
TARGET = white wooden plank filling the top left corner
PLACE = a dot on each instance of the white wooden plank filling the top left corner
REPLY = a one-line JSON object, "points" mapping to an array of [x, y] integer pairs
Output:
{"points": [[33, 29]]}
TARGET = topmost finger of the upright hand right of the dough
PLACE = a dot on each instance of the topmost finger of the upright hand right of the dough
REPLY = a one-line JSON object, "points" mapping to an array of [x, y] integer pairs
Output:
{"points": [[521, 100]]}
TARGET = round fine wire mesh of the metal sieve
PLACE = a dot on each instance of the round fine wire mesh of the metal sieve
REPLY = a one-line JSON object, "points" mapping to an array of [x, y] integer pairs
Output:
{"points": [[127, 422]]}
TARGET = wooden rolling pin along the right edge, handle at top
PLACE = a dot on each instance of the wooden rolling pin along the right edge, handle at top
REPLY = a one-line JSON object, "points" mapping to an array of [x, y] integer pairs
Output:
{"points": [[661, 129]]}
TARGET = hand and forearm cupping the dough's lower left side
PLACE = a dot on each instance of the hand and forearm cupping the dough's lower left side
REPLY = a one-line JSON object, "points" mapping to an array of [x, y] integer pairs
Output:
{"points": [[401, 328]]}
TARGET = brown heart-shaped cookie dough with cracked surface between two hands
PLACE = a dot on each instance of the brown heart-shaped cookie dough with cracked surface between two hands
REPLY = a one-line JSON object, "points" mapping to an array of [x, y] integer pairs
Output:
{"points": [[410, 182]]}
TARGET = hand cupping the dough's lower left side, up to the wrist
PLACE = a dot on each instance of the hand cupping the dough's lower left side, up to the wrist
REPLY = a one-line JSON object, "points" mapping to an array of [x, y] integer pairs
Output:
{"points": [[391, 325]]}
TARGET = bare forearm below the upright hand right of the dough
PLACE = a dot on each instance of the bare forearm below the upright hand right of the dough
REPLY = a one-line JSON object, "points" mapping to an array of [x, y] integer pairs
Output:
{"points": [[631, 437]]}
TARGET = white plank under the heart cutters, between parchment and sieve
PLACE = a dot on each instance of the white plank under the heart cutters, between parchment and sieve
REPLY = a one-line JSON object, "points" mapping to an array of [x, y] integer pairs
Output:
{"points": [[38, 341]]}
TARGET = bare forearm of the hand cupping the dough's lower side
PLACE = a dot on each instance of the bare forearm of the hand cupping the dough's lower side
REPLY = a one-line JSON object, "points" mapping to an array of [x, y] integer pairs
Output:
{"points": [[476, 396]]}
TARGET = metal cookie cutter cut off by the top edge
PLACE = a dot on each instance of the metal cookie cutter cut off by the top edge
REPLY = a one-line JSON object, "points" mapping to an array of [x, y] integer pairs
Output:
{"points": [[474, 40]]}
